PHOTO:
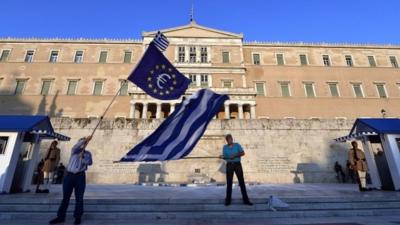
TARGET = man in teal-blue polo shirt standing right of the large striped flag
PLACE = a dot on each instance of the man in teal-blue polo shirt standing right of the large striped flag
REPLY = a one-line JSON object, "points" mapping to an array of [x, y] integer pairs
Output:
{"points": [[232, 152]]}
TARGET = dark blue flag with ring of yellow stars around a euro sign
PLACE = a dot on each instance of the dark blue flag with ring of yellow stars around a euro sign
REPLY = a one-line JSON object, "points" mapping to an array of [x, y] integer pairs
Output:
{"points": [[158, 77]]}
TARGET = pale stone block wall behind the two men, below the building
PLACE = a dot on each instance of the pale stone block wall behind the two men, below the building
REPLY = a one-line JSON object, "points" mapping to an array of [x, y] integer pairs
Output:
{"points": [[277, 151]]}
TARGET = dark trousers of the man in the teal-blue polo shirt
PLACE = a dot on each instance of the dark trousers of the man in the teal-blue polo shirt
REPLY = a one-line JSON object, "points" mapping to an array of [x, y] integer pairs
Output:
{"points": [[236, 167]]}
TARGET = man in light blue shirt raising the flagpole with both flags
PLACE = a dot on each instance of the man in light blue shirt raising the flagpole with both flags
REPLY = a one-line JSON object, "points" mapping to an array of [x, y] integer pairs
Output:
{"points": [[75, 180]]}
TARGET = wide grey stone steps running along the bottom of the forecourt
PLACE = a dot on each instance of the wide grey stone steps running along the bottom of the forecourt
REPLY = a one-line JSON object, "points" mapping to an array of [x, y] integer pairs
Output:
{"points": [[37, 207]]}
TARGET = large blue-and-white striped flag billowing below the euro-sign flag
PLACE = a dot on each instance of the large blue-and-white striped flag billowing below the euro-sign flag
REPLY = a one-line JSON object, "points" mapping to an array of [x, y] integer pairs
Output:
{"points": [[176, 137]]}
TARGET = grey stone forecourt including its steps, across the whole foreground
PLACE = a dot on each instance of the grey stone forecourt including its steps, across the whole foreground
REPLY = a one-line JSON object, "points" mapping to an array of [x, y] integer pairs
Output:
{"points": [[132, 204]]}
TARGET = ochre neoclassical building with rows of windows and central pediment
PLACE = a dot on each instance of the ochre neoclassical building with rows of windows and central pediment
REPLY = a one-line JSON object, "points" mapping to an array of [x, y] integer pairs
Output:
{"points": [[77, 78]]}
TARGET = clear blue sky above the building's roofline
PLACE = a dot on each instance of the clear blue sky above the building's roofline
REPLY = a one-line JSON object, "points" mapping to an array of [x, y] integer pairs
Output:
{"points": [[343, 21]]}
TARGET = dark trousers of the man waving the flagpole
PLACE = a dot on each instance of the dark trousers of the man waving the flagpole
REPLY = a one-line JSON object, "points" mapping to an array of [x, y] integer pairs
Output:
{"points": [[76, 183]]}
